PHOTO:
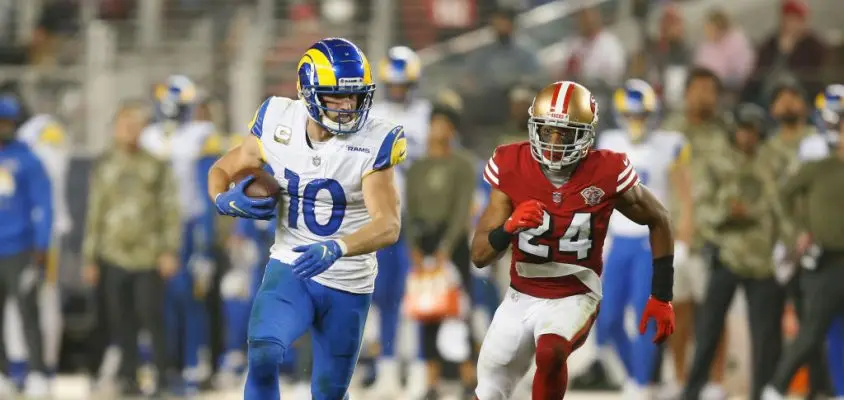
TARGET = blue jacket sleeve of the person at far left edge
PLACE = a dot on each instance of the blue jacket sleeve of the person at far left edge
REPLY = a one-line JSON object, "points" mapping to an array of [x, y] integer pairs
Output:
{"points": [[41, 198]]}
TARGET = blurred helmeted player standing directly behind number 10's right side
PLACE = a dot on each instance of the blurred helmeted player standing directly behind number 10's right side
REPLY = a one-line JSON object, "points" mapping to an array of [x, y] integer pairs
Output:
{"points": [[399, 72]]}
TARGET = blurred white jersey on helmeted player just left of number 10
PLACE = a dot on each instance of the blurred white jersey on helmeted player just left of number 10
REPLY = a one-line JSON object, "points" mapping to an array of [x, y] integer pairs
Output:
{"points": [[184, 145]]}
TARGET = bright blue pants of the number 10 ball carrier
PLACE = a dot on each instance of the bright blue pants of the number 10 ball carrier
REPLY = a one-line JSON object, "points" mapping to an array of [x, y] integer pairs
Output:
{"points": [[287, 306]]}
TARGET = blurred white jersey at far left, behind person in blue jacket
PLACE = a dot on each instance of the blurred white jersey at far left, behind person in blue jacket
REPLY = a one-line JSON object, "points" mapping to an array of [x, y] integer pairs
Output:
{"points": [[46, 137]]}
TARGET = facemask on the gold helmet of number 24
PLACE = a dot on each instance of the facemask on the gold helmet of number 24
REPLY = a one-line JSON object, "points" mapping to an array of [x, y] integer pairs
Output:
{"points": [[556, 144]]}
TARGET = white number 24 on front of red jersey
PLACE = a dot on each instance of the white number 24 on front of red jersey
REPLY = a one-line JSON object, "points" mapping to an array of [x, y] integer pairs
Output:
{"points": [[577, 238]]}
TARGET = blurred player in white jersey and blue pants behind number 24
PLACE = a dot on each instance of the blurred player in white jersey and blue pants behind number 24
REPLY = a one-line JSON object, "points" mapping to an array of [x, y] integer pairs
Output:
{"points": [[660, 159]]}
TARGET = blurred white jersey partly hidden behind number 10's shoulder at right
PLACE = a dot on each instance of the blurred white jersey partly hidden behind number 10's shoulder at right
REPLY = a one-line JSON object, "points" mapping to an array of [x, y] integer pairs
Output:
{"points": [[415, 117]]}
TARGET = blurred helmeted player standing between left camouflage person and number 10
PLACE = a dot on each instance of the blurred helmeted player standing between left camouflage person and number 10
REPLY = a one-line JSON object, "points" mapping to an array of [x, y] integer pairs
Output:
{"points": [[192, 147]]}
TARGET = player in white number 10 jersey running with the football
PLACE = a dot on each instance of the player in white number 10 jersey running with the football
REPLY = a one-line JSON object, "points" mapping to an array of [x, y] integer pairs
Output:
{"points": [[339, 205]]}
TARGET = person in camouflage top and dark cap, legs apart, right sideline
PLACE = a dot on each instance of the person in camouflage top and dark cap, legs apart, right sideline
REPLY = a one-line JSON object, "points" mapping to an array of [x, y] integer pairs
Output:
{"points": [[744, 222]]}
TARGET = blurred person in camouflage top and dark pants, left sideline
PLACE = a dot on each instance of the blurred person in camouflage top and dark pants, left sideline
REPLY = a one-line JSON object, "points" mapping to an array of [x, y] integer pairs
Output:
{"points": [[132, 237]]}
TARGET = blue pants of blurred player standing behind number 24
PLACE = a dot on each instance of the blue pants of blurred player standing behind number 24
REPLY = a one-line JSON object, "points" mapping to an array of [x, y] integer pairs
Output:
{"points": [[627, 282]]}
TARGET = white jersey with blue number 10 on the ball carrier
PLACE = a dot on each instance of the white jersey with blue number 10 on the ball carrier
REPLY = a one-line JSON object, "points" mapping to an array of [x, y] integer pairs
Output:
{"points": [[322, 184]]}
